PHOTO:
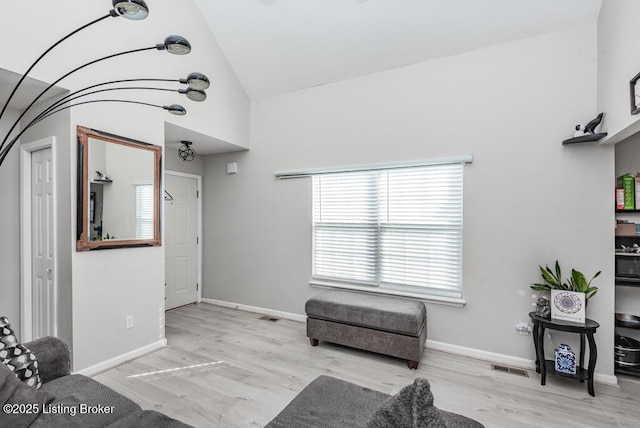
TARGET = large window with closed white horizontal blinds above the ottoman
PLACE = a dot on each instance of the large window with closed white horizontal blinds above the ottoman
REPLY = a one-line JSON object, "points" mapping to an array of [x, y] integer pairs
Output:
{"points": [[395, 228]]}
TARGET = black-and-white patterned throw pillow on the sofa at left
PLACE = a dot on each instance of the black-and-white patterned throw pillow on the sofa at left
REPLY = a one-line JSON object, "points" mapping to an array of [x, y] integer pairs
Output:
{"points": [[18, 357]]}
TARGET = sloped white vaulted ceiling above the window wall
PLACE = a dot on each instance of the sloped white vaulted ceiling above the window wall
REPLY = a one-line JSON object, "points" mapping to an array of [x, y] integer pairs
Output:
{"points": [[277, 46]]}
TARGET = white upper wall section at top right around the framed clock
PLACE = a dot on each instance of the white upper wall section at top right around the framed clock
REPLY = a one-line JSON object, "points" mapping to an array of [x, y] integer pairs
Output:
{"points": [[618, 41]]}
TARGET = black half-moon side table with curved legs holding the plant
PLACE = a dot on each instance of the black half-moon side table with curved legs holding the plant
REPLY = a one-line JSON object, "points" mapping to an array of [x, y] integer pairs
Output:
{"points": [[587, 329]]}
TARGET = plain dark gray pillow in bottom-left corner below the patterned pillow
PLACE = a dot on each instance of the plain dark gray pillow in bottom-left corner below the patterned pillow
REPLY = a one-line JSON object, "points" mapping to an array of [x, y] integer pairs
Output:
{"points": [[26, 402]]}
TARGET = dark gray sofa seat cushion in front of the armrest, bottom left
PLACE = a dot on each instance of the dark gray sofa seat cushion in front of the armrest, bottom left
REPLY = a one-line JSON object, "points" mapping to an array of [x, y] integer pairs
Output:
{"points": [[83, 402]]}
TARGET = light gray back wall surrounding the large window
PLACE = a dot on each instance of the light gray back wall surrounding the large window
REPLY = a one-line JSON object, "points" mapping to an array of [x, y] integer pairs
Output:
{"points": [[527, 199]]}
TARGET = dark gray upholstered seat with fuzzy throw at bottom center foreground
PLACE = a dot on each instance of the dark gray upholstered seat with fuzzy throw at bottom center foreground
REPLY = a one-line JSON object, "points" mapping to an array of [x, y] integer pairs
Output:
{"points": [[328, 402]]}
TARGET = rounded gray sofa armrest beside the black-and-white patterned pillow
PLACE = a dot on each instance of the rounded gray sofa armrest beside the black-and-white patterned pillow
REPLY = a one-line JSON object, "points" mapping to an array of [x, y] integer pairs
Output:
{"points": [[53, 357]]}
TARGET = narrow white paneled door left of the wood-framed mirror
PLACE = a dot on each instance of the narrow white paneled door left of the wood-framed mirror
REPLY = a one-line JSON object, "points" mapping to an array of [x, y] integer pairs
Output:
{"points": [[43, 291]]}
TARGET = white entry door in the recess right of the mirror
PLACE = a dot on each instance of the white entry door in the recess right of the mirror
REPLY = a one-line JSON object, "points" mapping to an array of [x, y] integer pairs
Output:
{"points": [[181, 240]]}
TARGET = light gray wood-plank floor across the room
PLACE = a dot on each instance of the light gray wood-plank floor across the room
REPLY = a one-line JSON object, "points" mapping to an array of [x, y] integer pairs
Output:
{"points": [[228, 368]]}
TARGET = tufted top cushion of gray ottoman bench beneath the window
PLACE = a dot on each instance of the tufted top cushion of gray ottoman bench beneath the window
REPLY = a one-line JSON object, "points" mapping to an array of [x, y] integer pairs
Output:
{"points": [[386, 313]]}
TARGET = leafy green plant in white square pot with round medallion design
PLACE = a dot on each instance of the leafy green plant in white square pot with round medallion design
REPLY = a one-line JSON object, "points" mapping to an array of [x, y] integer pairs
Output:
{"points": [[569, 297]]}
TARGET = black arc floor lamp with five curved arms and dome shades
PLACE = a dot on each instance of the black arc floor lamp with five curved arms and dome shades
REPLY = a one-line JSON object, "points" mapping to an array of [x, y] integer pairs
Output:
{"points": [[129, 9]]}
